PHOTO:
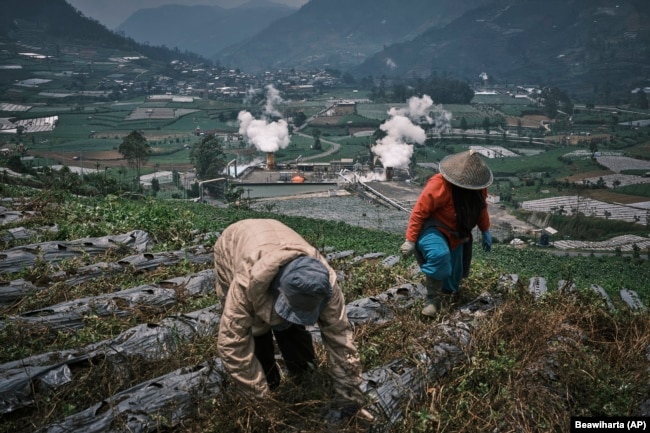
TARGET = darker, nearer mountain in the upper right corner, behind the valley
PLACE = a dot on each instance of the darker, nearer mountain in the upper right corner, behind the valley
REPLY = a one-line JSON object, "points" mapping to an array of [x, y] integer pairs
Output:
{"points": [[581, 45]]}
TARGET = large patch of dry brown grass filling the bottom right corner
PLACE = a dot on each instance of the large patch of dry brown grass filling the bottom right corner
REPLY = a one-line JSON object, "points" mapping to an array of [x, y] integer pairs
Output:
{"points": [[535, 363]]}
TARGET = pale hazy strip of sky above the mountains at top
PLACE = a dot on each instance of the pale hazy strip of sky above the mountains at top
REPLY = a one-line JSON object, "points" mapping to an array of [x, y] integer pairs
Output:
{"points": [[112, 13]]}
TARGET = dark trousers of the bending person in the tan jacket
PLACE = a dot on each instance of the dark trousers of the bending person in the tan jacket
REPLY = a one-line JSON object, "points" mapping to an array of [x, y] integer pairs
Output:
{"points": [[297, 350]]}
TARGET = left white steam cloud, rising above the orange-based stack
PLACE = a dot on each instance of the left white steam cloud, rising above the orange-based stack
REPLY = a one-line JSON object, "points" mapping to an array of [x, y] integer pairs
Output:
{"points": [[265, 135]]}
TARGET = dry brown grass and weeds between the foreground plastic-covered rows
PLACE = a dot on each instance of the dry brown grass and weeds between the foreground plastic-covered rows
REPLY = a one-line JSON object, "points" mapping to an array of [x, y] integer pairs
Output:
{"points": [[532, 363]]}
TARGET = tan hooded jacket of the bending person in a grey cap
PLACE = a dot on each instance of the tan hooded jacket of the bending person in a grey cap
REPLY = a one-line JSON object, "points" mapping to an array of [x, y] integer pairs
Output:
{"points": [[247, 256]]}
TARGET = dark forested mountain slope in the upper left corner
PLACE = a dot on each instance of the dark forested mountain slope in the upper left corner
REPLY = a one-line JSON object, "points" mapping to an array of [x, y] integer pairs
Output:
{"points": [[47, 23]]}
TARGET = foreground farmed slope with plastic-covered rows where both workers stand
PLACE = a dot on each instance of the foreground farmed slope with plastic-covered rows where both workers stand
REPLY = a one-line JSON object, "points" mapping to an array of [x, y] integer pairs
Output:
{"points": [[113, 324]]}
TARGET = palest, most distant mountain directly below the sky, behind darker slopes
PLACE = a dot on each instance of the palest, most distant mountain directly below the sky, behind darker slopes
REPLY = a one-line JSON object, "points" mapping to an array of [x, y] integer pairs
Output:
{"points": [[201, 29]]}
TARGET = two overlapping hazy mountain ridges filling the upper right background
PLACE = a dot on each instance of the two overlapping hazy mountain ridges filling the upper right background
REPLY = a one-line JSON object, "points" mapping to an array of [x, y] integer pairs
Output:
{"points": [[599, 47]]}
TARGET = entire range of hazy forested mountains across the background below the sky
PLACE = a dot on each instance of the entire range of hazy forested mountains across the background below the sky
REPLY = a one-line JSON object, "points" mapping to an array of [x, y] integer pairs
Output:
{"points": [[587, 47]]}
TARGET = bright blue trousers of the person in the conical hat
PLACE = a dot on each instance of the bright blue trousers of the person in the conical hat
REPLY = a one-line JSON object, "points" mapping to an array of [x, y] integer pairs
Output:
{"points": [[440, 263]]}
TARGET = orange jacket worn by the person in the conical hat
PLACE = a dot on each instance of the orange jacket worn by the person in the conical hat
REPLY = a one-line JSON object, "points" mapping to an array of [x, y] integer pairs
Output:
{"points": [[435, 201]]}
